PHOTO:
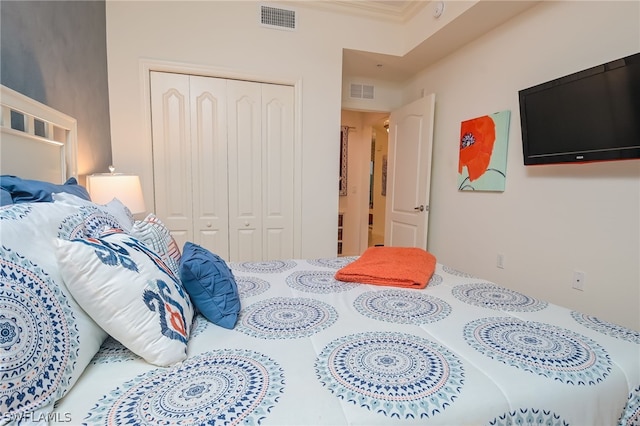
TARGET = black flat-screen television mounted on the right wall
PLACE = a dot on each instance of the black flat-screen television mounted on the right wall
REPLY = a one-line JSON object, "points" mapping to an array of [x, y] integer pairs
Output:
{"points": [[591, 115]]}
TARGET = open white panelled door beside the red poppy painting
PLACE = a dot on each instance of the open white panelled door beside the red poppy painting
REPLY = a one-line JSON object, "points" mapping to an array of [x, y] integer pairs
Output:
{"points": [[409, 174]]}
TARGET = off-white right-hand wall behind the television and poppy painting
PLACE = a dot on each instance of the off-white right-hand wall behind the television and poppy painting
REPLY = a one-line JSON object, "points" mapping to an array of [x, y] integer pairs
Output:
{"points": [[551, 220]]}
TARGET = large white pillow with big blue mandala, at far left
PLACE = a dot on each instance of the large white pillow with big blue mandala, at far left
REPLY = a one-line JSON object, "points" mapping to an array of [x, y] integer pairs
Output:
{"points": [[46, 339]]}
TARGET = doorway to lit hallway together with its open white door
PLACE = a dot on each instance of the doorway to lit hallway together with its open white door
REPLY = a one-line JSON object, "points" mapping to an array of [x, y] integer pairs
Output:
{"points": [[372, 206]]}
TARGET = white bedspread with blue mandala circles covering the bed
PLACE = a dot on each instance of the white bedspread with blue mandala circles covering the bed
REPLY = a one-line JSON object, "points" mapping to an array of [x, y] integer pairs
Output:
{"points": [[310, 350]]}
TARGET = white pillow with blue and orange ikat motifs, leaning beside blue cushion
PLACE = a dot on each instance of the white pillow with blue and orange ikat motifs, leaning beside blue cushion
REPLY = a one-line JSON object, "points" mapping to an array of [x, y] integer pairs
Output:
{"points": [[130, 292]]}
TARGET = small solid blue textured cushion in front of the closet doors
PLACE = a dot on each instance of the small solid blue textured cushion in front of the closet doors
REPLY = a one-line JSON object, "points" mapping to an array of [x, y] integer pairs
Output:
{"points": [[211, 285]]}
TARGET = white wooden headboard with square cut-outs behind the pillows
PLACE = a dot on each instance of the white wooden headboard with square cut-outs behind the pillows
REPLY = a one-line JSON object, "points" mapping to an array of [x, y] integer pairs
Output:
{"points": [[37, 141]]}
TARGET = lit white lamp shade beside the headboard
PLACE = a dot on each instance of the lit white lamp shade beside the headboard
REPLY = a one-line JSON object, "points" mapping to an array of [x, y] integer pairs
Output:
{"points": [[104, 187]]}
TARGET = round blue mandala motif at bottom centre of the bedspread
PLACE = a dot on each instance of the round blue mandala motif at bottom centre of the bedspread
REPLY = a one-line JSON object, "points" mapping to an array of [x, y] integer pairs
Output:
{"points": [[395, 374]]}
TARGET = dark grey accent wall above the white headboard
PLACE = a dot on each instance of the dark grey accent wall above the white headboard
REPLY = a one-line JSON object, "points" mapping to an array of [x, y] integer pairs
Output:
{"points": [[55, 52]]}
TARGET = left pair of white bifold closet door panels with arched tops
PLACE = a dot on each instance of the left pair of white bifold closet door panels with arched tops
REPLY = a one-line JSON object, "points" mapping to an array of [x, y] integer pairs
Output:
{"points": [[190, 158]]}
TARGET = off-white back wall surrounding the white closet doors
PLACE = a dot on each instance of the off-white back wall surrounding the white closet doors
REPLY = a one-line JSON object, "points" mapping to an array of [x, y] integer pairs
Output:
{"points": [[225, 37]]}
